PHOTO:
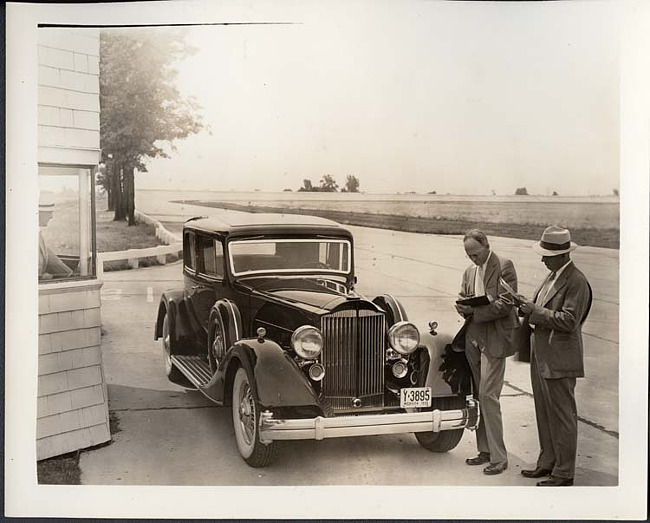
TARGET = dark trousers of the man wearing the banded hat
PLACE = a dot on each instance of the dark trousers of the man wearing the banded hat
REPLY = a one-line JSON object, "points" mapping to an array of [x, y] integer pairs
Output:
{"points": [[557, 421]]}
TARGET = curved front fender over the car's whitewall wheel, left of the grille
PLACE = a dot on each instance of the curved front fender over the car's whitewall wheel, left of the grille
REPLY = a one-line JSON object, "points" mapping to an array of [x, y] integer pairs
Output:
{"points": [[279, 382]]}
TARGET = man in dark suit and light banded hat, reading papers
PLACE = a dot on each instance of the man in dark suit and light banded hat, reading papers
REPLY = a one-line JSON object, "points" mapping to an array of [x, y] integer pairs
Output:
{"points": [[555, 314]]}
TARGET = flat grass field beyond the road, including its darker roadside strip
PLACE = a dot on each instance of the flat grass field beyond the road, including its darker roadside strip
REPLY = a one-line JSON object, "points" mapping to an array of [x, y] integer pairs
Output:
{"points": [[592, 221]]}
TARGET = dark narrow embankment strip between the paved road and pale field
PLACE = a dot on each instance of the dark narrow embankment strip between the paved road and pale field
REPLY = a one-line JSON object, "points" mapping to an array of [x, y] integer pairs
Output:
{"points": [[595, 237]]}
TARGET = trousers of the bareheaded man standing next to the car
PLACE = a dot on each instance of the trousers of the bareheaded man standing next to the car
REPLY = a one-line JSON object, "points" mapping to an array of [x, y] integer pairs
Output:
{"points": [[488, 373]]}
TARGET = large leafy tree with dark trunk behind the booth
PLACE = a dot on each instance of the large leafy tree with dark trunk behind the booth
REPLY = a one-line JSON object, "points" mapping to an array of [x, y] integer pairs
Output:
{"points": [[142, 111]]}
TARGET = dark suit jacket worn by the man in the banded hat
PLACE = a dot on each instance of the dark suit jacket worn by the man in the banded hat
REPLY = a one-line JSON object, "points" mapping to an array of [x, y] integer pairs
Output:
{"points": [[558, 325]]}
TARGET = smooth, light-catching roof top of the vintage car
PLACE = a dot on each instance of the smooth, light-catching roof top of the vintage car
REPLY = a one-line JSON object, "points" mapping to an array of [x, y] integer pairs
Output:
{"points": [[245, 223]]}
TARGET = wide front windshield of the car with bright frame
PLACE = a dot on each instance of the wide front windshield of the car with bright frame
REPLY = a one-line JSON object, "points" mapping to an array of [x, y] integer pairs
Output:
{"points": [[289, 256]]}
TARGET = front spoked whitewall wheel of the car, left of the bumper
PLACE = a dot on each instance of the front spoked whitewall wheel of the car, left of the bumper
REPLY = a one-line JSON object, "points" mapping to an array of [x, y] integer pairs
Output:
{"points": [[245, 418]]}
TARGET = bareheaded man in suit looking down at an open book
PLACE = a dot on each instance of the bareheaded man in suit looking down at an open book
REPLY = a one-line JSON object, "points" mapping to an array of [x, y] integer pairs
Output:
{"points": [[489, 331]]}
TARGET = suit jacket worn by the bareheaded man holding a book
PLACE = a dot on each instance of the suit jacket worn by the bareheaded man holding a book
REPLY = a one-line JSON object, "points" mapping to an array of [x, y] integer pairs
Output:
{"points": [[492, 326]]}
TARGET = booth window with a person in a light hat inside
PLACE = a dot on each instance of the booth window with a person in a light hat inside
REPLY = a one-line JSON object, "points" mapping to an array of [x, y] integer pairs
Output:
{"points": [[66, 237]]}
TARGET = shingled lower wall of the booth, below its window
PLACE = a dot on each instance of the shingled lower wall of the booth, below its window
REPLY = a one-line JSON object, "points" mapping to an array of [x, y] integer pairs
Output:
{"points": [[72, 399]]}
